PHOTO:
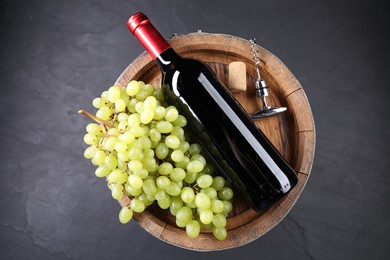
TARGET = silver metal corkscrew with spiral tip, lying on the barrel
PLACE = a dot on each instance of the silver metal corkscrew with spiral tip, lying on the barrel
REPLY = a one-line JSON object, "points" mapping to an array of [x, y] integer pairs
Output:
{"points": [[262, 90]]}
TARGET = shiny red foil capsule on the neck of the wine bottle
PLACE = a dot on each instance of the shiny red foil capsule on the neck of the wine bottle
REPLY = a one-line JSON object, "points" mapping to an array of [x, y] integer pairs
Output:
{"points": [[147, 35]]}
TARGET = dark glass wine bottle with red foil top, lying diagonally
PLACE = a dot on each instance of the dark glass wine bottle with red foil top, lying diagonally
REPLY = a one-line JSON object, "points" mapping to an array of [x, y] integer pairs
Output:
{"points": [[218, 122]]}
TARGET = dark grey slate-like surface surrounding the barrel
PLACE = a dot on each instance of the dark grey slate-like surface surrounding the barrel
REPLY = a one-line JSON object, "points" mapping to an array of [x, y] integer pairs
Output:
{"points": [[57, 55]]}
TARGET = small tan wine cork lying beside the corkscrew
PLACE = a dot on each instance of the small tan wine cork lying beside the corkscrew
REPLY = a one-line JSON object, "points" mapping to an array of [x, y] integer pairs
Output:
{"points": [[237, 76]]}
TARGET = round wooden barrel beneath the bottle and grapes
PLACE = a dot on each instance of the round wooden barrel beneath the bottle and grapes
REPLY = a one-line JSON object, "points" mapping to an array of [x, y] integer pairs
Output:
{"points": [[292, 133]]}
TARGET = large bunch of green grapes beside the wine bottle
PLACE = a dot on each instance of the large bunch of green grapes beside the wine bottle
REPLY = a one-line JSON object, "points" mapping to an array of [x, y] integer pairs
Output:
{"points": [[139, 144]]}
